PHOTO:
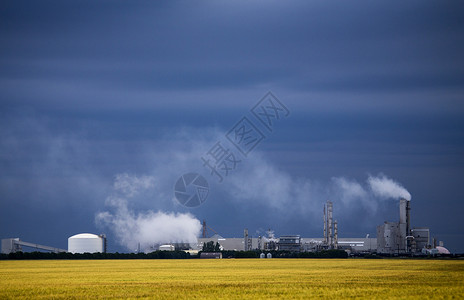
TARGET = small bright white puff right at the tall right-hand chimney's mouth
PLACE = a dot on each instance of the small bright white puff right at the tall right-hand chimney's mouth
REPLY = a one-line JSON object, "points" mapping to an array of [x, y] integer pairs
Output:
{"points": [[384, 187]]}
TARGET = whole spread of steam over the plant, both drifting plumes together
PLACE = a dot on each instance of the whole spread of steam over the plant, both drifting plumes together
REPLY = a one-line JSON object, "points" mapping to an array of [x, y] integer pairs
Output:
{"points": [[255, 185]]}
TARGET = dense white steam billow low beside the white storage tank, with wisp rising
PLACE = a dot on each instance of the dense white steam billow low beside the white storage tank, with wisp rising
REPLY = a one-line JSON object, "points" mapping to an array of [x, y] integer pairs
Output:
{"points": [[147, 229]]}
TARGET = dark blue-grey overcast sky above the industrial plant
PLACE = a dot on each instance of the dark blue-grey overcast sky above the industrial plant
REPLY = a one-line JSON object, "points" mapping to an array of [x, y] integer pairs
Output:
{"points": [[95, 91]]}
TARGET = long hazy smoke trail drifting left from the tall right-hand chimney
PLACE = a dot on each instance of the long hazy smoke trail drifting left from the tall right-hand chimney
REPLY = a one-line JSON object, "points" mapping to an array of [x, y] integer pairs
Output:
{"points": [[262, 183]]}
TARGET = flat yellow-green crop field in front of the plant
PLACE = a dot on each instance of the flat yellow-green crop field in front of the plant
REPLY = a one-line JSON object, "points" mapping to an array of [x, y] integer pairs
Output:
{"points": [[232, 278]]}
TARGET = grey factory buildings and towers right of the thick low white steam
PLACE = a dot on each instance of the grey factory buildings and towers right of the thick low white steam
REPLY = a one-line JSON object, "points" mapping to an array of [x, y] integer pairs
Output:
{"points": [[393, 238]]}
